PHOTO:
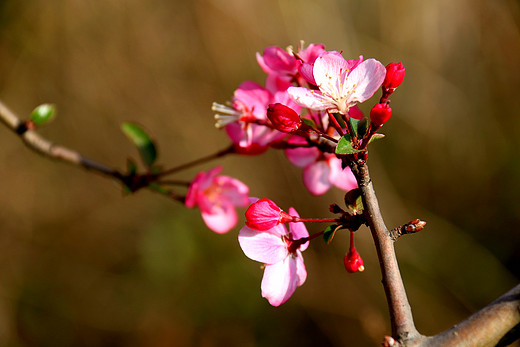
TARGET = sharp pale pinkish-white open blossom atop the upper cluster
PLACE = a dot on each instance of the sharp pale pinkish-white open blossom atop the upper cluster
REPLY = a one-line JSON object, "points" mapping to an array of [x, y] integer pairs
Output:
{"points": [[341, 83]]}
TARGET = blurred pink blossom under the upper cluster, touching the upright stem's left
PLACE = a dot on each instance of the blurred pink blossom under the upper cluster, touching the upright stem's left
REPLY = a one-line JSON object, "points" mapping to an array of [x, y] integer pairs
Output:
{"points": [[320, 170]]}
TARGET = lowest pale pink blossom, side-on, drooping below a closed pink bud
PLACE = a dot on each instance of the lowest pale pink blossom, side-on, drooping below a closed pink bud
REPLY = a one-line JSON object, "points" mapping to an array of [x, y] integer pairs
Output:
{"points": [[281, 252]]}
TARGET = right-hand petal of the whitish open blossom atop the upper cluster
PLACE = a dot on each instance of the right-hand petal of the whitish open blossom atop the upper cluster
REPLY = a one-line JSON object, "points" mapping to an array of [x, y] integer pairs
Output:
{"points": [[365, 80]]}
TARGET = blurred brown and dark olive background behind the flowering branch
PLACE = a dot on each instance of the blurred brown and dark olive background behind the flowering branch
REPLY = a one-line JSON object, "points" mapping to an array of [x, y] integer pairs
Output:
{"points": [[83, 265]]}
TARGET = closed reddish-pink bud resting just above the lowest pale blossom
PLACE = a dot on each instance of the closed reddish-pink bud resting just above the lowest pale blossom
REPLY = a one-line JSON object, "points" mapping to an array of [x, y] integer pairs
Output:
{"points": [[265, 214]]}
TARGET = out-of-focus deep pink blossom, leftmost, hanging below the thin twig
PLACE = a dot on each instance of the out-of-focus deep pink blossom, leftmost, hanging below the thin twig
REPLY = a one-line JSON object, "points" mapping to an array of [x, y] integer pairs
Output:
{"points": [[217, 196]]}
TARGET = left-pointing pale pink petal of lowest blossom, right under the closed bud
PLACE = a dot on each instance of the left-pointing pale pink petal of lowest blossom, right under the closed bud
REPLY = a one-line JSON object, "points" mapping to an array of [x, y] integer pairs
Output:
{"points": [[261, 246]]}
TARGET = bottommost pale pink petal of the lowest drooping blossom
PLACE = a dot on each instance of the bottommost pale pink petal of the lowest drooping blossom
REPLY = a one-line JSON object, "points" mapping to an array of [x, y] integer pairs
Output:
{"points": [[280, 281]]}
